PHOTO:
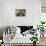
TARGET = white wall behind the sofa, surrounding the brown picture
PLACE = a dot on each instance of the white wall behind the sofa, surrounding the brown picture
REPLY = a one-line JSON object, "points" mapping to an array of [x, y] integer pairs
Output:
{"points": [[32, 12]]}
